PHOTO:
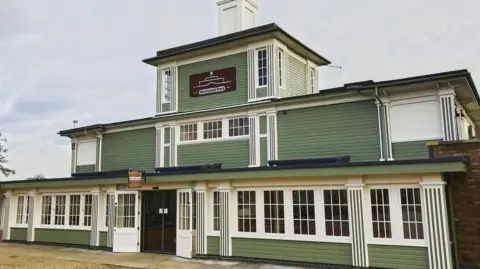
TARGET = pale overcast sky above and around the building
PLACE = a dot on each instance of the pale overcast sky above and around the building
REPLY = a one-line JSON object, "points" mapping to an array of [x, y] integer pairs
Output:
{"points": [[62, 60]]}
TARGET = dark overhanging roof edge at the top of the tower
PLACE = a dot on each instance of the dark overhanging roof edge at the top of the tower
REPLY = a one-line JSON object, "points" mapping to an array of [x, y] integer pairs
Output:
{"points": [[256, 31]]}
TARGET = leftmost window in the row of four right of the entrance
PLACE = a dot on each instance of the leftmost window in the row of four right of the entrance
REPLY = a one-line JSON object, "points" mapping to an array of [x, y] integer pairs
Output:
{"points": [[247, 212]]}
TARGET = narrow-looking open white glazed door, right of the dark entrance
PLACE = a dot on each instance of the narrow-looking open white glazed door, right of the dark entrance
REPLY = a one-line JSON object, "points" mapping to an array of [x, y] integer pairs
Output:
{"points": [[184, 223]]}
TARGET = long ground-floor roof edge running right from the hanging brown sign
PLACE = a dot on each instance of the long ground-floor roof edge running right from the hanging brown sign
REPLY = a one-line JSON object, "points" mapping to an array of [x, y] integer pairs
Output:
{"points": [[464, 159]]}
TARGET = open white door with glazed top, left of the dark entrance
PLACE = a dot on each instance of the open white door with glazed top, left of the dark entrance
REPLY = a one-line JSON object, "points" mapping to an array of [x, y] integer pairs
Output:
{"points": [[126, 231]]}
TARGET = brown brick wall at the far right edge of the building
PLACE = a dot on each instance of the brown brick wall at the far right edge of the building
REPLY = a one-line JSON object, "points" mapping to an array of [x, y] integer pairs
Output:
{"points": [[465, 191]]}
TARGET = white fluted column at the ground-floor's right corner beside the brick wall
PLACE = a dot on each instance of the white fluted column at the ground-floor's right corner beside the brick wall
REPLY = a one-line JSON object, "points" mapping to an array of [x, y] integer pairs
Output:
{"points": [[439, 253]]}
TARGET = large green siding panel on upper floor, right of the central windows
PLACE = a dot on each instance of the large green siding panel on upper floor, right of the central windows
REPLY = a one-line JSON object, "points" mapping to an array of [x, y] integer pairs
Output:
{"points": [[332, 130]]}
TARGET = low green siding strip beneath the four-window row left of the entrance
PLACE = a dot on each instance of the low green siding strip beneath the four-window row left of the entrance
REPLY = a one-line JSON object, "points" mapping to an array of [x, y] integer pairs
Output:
{"points": [[74, 237]]}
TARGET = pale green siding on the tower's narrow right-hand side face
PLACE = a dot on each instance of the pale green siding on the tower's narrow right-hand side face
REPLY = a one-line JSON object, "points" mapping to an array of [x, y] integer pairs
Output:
{"points": [[297, 77]]}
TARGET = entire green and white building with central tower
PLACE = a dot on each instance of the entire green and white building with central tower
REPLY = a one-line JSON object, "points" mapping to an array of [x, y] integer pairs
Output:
{"points": [[246, 158]]}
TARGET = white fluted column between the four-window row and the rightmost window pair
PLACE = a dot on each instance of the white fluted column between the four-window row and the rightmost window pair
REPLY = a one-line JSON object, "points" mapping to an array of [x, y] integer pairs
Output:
{"points": [[355, 188]]}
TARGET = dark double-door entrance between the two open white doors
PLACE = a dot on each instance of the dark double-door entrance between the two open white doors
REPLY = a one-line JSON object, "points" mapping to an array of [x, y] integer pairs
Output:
{"points": [[159, 215]]}
